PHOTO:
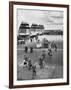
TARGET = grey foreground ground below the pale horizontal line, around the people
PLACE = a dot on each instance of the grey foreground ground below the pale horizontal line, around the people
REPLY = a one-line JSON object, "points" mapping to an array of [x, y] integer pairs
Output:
{"points": [[53, 65]]}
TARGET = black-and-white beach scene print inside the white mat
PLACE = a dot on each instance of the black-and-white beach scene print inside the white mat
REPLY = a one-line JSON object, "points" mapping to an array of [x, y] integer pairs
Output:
{"points": [[39, 44]]}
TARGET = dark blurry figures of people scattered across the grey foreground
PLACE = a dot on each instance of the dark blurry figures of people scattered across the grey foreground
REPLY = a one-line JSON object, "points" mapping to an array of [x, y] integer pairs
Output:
{"points": [[27, 62]]}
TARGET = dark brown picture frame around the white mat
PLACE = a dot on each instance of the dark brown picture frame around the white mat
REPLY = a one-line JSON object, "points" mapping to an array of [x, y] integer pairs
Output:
{"points": [[11, 38]]}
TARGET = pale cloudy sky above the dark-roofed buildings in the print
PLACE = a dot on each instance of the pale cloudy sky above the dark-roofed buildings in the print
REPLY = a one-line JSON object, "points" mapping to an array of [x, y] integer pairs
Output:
{"points": [[50, 19]]}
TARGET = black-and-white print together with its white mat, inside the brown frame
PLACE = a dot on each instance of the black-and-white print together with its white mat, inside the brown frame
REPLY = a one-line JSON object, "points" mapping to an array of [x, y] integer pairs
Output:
{"points": [[39, 44]]}
